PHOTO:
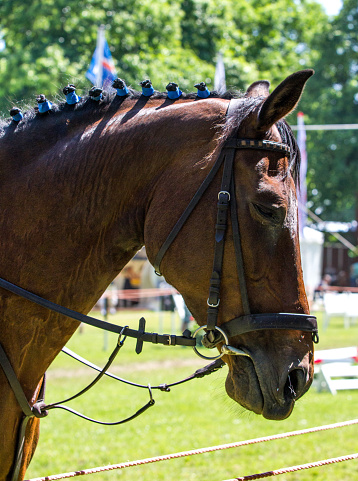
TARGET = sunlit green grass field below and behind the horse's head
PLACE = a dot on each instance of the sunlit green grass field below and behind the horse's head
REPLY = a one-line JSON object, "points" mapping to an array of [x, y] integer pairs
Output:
{"points": [[194, 415]]}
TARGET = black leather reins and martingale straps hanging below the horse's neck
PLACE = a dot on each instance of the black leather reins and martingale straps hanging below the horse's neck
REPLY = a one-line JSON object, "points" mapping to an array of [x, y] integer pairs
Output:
{"points": [[40, 409]]}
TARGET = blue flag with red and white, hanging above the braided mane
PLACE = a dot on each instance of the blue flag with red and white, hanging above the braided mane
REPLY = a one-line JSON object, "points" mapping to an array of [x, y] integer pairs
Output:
{"points": [[101, 70]]}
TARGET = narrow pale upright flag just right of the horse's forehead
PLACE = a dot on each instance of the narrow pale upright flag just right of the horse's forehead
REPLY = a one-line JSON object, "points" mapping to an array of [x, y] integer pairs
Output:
{"points": [[302, 193]]}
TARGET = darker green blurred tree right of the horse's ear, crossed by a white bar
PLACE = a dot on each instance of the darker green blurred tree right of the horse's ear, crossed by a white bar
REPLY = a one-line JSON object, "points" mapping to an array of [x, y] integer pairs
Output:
{"points": [[331, 97]]}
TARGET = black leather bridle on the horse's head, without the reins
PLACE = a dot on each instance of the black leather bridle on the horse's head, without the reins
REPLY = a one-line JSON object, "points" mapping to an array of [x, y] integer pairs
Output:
{"points": [[227, 200]]}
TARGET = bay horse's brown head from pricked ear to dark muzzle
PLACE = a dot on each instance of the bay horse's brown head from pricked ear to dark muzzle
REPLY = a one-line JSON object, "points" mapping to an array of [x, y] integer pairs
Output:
{"points": [[278, 366]]}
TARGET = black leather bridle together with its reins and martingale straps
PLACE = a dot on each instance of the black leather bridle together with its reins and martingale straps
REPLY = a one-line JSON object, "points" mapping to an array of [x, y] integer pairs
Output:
{"points": [[215, 334]]}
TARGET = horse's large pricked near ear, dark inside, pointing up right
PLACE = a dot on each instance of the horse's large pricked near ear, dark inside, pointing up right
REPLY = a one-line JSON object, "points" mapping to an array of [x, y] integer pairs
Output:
{"points": [[283, 99]]}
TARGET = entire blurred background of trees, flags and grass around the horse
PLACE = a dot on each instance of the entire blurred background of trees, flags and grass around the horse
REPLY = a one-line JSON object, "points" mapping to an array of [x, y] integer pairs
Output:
{"points": [[44, 45]]}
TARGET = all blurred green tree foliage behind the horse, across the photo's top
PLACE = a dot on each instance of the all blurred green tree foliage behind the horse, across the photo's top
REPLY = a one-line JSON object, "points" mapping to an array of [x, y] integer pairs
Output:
{"points": [[49, 43]]}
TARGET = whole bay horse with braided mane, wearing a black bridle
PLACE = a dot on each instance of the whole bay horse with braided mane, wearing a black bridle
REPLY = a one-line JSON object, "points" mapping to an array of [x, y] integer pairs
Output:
{"points": [[85, 186]]}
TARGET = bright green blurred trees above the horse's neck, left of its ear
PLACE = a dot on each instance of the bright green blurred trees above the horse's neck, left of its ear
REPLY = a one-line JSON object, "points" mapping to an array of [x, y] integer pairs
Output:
{"points": [[50, 42]]}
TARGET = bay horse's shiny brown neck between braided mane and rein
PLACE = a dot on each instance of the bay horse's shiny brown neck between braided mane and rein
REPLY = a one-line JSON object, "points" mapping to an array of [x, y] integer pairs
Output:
{"points": [[77, 211]]}
